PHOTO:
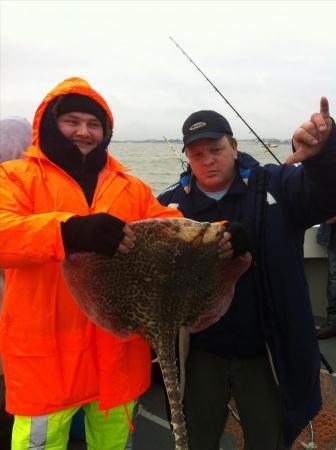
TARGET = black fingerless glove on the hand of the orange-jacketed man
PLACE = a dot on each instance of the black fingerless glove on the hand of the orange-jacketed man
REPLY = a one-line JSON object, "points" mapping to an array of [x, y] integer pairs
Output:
{"points": [[100, 233]]}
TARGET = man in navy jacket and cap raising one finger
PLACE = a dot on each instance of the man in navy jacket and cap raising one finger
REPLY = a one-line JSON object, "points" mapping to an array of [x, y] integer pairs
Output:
{"points": [[264, 351]]}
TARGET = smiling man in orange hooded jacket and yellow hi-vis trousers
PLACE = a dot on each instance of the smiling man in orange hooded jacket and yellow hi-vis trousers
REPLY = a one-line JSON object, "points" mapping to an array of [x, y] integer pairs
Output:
{"points": [[67, 195]]}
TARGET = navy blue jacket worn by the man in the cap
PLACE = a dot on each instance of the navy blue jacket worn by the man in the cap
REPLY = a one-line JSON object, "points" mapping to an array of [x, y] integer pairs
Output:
{"points": [[277, 203]]}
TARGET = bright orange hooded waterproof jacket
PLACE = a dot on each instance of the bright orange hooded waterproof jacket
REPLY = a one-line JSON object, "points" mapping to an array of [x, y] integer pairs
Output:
{"points": [[54, 357]]}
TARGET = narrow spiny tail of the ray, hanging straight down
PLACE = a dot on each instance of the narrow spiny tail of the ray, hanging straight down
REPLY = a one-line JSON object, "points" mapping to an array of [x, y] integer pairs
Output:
{"points": [[170, 376]]}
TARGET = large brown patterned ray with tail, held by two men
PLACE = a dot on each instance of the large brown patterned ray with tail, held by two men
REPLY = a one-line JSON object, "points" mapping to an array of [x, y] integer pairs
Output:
{"points": [[171, 278]]}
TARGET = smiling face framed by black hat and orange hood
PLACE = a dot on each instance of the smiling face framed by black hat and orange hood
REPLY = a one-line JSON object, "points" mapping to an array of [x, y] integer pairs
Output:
{"points": [[83, 129]]}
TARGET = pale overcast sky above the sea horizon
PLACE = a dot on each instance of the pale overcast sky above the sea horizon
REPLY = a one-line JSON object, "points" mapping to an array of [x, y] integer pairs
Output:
{"points": [[271, 59]]}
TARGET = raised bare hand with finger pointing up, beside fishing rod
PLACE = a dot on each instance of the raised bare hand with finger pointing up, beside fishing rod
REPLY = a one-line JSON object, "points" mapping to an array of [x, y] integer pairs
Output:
{"points": [[310, 137]]}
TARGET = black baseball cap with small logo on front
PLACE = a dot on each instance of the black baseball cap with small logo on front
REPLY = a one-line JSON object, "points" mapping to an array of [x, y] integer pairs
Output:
{"points": [[204, 124]]}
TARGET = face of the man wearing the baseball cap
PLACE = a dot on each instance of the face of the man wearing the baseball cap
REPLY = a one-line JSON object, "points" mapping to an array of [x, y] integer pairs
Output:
{"points": [[213, 163]]}
